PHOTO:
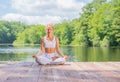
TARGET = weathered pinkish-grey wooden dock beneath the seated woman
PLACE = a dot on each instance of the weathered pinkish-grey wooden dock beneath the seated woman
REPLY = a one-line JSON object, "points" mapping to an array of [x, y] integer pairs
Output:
{"points": [[70, 72]]}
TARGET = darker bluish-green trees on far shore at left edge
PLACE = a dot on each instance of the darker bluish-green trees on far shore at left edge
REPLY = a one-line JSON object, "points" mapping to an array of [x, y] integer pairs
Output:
{"points": [[9, 30]]}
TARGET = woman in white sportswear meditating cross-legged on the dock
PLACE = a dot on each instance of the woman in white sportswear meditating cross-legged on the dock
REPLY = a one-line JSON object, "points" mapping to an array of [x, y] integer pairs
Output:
{"points": [[50, 52]]}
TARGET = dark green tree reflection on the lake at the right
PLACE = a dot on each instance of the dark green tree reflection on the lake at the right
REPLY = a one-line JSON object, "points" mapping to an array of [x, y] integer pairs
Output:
{"points": [[96, 54]]}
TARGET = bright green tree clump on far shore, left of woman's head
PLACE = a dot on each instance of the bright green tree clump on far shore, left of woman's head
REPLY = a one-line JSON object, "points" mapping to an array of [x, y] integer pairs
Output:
{"points": [[31, 35]]}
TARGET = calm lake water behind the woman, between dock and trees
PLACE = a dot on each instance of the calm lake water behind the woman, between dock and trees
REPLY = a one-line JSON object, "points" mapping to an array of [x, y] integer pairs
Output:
{"points": [[76, 53]]}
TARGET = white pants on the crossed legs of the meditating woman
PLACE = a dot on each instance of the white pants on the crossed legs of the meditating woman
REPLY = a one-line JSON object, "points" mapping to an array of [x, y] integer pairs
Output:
{"points": [[46, 58]]}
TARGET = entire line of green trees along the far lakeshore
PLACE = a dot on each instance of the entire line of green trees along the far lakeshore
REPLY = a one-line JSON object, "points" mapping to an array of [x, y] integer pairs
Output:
{"points": [[98, 25]]}
